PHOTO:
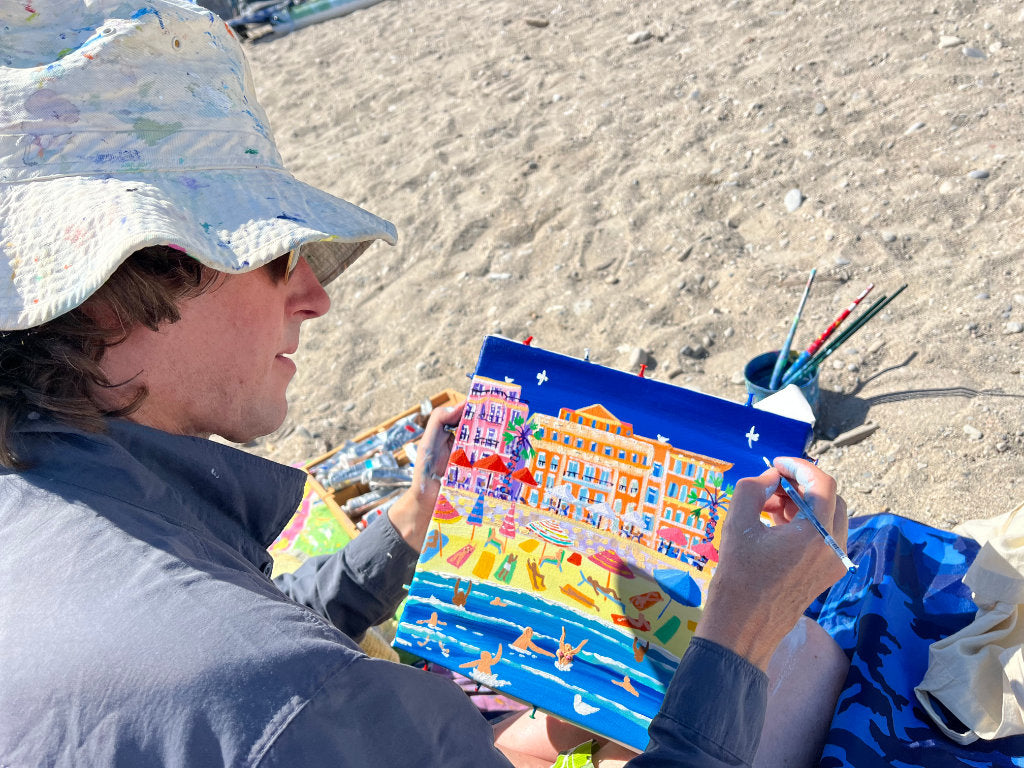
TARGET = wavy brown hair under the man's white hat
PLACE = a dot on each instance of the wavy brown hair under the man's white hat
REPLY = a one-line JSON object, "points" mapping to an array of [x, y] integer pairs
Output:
{"points": [[52, 370]]}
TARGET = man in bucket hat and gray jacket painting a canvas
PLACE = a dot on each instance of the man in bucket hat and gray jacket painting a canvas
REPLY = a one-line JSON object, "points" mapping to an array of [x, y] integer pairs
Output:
{"points": [[157, 264]]}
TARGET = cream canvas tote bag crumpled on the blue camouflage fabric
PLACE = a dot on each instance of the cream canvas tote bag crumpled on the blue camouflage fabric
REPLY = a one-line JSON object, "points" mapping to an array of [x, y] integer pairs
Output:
{"points": [[978, 674]]}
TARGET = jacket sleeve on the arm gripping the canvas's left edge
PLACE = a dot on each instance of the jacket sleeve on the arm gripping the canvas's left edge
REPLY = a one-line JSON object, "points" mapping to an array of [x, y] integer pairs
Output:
{"points": [[361, 585]]}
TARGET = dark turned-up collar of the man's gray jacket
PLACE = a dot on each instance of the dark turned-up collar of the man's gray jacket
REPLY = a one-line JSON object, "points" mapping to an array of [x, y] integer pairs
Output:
{"points": [[239, 498]]}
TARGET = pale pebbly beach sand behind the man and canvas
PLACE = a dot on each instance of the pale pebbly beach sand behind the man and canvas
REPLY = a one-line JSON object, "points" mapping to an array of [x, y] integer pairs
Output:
{"points": [[614, 177]]}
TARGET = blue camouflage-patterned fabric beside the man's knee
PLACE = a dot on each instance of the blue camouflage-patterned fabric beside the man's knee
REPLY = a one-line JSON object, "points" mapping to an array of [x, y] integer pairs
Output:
{"points": [[907, 593]]}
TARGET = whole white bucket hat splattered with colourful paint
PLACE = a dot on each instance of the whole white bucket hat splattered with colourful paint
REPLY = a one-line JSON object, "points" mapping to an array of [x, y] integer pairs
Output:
{"points": [[133, 124]]}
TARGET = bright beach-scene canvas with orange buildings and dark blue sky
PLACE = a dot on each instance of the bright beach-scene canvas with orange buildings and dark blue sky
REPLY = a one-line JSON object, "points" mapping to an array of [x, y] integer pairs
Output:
{"points": [[577, 531]]}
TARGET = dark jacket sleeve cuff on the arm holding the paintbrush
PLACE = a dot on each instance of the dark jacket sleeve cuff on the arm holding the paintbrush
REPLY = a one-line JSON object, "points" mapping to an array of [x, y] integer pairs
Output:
{"points": [[712, 715]]}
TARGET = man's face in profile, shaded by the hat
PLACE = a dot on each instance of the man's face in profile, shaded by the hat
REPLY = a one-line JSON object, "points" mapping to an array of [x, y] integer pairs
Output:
{"points": [[223, 368]]}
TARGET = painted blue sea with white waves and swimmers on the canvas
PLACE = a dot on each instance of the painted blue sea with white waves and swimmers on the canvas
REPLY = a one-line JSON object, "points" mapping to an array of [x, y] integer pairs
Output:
{"points": [[585, 694]]}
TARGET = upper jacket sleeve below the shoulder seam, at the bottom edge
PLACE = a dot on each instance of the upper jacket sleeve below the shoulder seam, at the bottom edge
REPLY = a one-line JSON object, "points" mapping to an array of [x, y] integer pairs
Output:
{"points": [[377, 713]]}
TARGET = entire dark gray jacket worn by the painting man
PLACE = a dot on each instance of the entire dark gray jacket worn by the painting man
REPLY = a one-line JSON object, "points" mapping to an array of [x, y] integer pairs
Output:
{"points": [[140, 627]]}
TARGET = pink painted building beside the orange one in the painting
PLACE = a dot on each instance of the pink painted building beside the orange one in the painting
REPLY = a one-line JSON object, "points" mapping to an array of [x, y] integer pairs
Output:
{"points": [[490, 408]]}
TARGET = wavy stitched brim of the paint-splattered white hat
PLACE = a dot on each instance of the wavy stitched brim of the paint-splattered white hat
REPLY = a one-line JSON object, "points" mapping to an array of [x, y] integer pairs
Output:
{"points": [[61, 239]]}
